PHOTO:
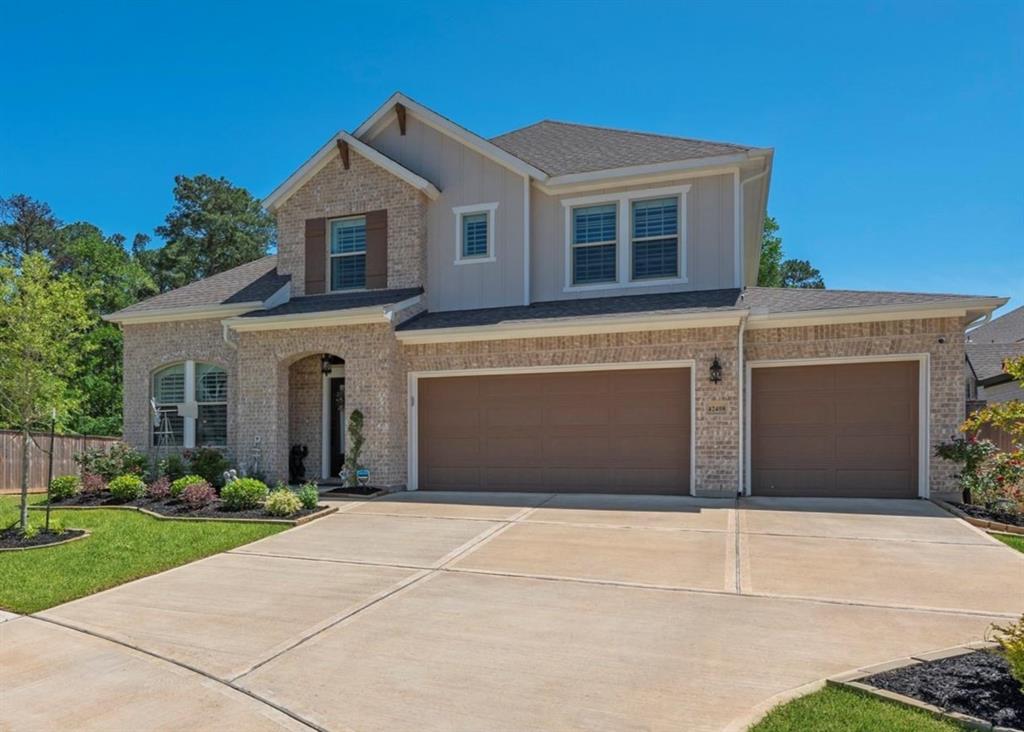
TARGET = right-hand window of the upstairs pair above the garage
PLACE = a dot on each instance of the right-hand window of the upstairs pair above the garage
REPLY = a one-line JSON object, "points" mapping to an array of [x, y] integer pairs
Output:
{"points": [[655, 239]]}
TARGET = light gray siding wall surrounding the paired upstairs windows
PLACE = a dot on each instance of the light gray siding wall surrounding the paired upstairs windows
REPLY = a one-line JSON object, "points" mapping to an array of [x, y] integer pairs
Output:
{"points": [[710, 240]]}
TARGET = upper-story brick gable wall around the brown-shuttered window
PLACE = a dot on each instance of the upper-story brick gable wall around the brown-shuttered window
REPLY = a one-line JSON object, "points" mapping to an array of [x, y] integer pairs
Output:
{"points": [[335, 192]]}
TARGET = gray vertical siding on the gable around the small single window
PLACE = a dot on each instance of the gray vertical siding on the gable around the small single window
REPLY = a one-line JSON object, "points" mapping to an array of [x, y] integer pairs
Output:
{"points": [[465, 179]]}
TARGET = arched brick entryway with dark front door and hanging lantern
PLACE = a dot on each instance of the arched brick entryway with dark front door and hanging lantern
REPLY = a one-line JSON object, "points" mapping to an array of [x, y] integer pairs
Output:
{"points": [[317, 417]]}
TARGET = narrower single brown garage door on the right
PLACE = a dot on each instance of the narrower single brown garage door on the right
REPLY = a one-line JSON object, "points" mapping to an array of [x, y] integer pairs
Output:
{"points": [[848, 430]]}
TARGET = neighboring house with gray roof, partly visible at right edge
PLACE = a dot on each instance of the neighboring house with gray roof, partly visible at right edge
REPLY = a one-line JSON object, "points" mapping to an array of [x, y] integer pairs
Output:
{"points": [[989, 347]]}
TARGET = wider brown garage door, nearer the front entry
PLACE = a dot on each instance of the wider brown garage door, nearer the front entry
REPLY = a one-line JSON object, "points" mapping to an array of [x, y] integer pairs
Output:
{"points": [[601, 432]]}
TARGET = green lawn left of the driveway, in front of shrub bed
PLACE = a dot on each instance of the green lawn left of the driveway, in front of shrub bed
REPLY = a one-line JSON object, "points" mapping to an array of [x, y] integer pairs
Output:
{"points": [[123, 546]]}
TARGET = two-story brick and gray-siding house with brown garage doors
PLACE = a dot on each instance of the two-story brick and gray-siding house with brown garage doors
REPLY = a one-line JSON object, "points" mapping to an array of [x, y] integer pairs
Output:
{"points": [[563, 308]]}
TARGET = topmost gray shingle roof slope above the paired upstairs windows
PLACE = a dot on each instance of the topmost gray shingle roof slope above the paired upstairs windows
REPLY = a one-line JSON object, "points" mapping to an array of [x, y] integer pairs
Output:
{"points": [[561, 148]]}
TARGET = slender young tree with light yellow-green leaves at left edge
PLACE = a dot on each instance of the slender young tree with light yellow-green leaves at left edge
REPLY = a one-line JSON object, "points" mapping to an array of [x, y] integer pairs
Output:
{"points": [[42, 319]]}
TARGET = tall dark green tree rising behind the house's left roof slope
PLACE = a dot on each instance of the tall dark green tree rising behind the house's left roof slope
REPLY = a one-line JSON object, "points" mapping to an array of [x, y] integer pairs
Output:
{"points": [[214, 227]]}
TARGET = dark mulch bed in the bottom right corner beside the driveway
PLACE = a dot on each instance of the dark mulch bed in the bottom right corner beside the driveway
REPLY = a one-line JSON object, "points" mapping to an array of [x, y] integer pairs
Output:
{"points": [[978, 684]]}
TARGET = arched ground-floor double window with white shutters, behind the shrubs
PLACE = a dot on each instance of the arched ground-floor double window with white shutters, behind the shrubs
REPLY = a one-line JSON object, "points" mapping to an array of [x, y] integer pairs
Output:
{"points": [[192, 399]]}
